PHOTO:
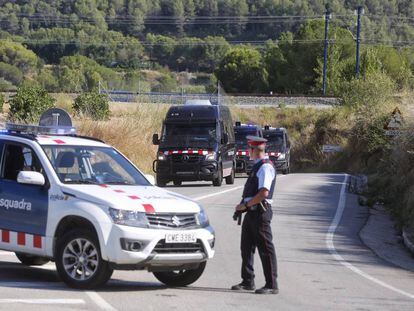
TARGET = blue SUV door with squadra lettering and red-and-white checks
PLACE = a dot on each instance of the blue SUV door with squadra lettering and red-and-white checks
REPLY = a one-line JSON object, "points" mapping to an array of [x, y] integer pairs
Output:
{"points": [[23, 208]]}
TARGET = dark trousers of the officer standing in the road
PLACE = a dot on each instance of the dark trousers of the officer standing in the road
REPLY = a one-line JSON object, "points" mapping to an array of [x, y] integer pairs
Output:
{"points": [[256, 232]]}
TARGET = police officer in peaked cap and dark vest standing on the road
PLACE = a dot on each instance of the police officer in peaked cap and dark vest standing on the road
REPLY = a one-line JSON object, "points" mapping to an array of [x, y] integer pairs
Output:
{"points": [[256, 230]]}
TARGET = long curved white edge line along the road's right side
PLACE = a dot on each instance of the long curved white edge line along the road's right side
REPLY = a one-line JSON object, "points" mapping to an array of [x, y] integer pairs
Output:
{"points": [[331, 247]]}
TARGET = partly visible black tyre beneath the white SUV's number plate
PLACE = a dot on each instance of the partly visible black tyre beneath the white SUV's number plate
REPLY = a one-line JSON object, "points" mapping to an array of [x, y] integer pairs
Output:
{"points": [[181, 277]]}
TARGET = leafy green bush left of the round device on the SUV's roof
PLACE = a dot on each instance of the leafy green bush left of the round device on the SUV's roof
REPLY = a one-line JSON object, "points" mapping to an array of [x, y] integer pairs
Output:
{"points": [[29, 103]]}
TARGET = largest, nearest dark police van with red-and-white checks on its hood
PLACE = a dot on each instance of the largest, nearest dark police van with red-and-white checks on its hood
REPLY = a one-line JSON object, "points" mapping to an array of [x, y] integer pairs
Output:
{"points": [[196, 143]]}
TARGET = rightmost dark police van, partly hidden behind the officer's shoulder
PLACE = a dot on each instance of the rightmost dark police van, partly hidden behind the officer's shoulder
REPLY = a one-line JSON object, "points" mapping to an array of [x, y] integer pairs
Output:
{"points": [[278, 147]]}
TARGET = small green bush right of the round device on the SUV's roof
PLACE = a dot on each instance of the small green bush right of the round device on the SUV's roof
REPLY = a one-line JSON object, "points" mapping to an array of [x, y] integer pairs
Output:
{"points": [[93, 105]]}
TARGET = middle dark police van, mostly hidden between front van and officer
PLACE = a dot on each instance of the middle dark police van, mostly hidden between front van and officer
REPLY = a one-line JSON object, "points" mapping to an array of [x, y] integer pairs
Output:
{"points": [[243, 162]]}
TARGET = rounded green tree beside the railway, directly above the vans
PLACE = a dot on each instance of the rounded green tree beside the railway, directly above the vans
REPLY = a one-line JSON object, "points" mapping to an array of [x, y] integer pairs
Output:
{"points": [[242, 71]]}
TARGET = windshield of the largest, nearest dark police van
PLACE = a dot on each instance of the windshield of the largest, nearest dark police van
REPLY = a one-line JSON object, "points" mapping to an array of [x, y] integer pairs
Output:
{"points": [[189, 135]]}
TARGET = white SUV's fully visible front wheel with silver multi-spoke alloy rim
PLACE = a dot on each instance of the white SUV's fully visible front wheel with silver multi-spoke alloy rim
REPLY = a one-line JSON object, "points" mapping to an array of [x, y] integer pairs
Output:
{"points": [[79, 262]]}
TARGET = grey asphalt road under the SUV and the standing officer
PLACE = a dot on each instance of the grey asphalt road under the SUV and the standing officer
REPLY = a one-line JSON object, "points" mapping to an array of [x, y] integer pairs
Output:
{"points": [[322, 263]]}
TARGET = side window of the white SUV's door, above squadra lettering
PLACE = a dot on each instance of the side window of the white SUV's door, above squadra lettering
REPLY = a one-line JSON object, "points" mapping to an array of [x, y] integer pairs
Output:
{"points": [[19, 158]]}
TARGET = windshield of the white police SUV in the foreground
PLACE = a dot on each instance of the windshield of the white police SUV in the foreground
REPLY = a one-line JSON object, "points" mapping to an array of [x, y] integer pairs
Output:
{"points": [[93, 165]]}
